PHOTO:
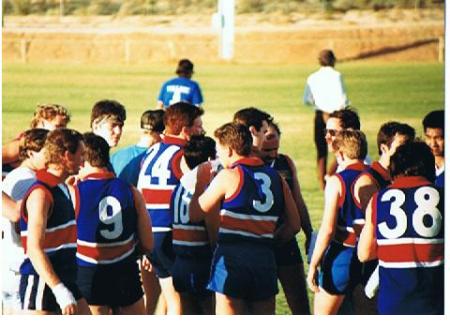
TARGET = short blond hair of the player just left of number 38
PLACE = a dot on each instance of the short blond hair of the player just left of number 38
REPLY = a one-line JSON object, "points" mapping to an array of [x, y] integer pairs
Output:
{"points": [[352, 143]]}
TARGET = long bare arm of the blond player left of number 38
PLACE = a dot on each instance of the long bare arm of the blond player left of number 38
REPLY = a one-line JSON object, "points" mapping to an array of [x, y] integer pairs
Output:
{"points": [[326, 231]]}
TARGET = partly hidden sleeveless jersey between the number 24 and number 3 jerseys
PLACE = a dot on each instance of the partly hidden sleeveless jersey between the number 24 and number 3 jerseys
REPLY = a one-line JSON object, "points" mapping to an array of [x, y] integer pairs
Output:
{"points": [[189, 239]]}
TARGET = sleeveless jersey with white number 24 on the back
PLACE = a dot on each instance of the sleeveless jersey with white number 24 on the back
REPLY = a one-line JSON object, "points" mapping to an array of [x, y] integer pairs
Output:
{"points": [[160, 173]]}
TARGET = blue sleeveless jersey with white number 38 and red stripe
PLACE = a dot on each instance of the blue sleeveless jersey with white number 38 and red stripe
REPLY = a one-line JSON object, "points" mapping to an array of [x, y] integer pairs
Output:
{"points": [[408, 216]]}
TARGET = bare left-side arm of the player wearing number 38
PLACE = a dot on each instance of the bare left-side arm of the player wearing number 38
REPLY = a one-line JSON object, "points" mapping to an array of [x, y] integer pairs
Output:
{"points": [[367, 247]]}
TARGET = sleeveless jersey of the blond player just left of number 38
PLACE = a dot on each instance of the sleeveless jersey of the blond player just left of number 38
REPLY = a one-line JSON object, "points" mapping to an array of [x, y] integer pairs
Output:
{"points": [[349, 214]]}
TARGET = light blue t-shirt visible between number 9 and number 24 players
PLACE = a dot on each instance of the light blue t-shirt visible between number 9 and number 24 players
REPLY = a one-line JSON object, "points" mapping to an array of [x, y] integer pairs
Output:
{"points": [[126, 163]]}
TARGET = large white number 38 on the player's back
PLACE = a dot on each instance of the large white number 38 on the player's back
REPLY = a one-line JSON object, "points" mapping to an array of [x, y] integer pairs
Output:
{"points": [[427, 199]]}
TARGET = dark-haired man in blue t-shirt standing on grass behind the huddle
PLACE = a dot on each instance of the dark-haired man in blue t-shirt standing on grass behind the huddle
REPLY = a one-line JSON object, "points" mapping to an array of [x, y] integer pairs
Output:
{"points": [[182, 88]]}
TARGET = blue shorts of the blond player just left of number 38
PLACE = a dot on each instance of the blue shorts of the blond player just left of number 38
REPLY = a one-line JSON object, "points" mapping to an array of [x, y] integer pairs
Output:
{"points": [[340, 269]]}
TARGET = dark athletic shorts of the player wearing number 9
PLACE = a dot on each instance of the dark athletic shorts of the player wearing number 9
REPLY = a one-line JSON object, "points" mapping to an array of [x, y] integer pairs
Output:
{"points": [[111, 285]]}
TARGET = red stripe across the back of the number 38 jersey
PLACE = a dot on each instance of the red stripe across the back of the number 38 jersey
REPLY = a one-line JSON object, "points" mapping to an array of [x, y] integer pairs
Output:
{"points": [[411, 252]]}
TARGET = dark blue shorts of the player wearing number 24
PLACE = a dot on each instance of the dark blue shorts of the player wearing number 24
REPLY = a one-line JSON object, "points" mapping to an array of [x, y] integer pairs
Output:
{"points": [[162, 256]]}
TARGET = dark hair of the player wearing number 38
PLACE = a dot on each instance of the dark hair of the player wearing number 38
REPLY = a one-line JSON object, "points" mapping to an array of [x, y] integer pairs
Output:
{"points": [[413, 159]]}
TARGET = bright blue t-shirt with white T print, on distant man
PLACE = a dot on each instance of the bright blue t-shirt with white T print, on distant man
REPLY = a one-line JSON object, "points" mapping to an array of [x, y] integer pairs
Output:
{"points": [[180, 89]]}
